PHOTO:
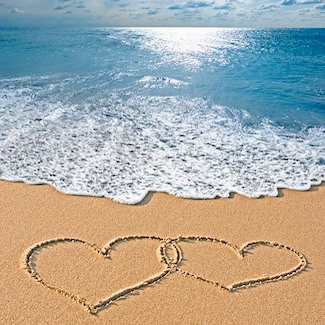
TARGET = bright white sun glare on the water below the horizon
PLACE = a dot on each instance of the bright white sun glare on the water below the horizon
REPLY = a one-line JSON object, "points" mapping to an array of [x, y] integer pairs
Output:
{"points": [[190, 46]]}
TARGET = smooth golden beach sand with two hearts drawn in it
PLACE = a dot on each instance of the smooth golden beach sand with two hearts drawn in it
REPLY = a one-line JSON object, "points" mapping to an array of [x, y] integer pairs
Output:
{"points": [[34, 214]]}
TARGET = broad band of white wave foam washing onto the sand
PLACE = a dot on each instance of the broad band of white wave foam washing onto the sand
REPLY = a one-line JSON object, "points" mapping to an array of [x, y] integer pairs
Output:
{"points": [[122, 148]]}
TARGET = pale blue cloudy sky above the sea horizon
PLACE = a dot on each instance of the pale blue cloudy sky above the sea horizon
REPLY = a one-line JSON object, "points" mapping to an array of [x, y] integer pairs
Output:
{"points": [[163, 13]]}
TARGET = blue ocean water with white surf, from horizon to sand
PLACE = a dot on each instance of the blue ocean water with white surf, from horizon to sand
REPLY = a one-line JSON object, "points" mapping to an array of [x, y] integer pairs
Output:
{"points": [[198, 113]]}
